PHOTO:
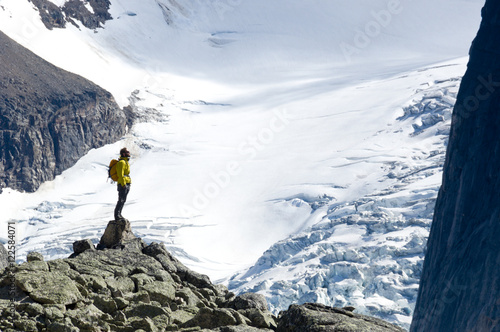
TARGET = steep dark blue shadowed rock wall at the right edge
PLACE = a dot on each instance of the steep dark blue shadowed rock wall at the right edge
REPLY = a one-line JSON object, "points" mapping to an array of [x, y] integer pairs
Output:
{"points": [[461, 276]]}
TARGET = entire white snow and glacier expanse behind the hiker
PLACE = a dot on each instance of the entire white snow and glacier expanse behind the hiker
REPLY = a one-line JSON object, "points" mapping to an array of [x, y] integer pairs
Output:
{"points": [[310, 131]]}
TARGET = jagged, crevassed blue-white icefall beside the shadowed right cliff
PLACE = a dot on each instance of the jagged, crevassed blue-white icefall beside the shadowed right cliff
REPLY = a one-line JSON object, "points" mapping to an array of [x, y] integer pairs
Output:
{"points": [[367, 251]]}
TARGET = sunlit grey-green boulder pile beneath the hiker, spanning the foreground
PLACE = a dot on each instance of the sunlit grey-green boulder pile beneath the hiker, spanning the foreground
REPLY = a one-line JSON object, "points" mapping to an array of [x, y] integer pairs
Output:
{"points": [[143, 287]]}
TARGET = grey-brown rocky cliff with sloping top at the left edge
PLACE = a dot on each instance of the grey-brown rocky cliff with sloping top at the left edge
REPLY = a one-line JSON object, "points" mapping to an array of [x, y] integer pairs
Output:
{"points": [[49, 118]]}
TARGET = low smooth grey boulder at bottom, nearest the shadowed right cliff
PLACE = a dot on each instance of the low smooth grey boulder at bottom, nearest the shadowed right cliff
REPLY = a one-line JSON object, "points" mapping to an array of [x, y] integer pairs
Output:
{"points": [[315, 318]]}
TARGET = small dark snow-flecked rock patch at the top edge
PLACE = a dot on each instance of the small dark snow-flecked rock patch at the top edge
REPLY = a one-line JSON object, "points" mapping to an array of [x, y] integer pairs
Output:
{"points": [[73, 11]]}
